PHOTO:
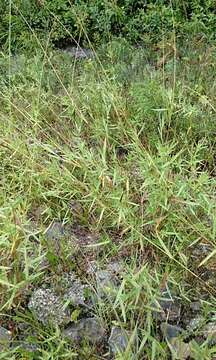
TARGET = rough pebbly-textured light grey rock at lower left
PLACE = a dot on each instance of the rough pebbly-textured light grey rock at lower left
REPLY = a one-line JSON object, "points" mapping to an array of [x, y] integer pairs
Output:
{"points": [[48, 307]]}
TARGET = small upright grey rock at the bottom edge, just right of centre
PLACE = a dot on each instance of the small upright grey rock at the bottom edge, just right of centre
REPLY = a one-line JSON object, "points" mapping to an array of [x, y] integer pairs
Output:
{"points": [[118, 340]]}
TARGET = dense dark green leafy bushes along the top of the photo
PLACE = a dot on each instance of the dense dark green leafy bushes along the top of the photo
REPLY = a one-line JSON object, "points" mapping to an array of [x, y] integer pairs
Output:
{"points": [[98, 20]]}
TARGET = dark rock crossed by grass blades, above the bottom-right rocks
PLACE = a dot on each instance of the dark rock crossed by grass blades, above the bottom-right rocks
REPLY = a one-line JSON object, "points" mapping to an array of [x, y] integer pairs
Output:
{"points": [[167, 308]]}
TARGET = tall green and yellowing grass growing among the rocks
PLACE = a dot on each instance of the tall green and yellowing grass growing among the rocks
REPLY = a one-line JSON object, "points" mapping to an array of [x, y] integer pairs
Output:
{"points": [[129, 140]]}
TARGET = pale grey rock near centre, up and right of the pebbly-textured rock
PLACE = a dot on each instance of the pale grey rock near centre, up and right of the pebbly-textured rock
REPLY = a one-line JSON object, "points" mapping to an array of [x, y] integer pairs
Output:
{"points": [[106, 283]]}
